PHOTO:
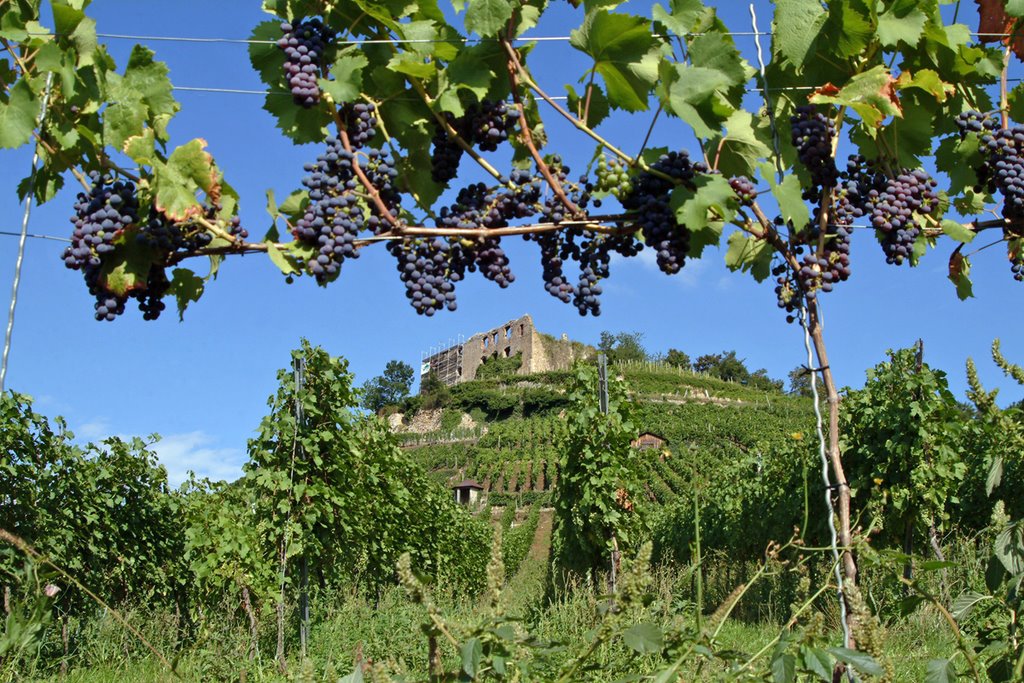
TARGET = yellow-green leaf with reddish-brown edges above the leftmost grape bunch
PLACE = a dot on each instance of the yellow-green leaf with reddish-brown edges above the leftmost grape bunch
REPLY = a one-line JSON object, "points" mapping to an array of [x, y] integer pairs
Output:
{"points": [[189, 169]]}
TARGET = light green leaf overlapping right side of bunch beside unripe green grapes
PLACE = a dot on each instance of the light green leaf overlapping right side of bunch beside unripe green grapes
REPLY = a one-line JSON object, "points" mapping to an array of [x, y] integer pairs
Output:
{"points": [[704, 211]]}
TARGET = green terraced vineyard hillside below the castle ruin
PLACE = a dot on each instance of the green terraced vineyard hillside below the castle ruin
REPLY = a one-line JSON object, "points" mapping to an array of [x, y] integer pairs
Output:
{"points": [[513, 452]]}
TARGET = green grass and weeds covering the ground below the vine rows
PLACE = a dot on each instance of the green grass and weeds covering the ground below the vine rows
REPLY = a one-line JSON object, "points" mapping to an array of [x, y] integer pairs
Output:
{"points": [[348, 625]]}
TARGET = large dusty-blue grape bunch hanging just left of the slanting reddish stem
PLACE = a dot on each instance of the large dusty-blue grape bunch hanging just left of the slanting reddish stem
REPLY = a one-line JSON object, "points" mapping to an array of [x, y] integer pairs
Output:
{"points": [[334, 216]]}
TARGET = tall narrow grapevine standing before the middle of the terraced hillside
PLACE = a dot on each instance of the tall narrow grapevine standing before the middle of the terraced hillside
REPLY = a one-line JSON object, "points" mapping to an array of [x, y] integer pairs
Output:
{"points": [[594, 500]]}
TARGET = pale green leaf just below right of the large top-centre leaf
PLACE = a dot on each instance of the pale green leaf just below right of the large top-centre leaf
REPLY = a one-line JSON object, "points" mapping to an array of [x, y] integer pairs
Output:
{"points": [[696, 96]]}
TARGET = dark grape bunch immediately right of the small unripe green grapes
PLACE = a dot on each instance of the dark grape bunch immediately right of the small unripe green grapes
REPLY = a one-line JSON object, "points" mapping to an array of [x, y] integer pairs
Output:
{"points": [[649, 200]]}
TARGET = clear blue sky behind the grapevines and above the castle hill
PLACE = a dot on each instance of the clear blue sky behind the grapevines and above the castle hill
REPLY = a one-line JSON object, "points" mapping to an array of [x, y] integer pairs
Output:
{"points": [[203, 383]]}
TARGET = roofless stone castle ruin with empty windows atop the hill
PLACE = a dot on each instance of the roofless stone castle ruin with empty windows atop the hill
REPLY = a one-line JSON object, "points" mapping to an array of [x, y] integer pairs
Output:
{"points": [[540, 353]]}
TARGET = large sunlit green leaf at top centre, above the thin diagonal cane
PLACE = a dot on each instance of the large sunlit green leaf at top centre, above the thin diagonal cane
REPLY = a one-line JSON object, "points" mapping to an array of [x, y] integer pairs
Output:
{"points": [[625, 54]]}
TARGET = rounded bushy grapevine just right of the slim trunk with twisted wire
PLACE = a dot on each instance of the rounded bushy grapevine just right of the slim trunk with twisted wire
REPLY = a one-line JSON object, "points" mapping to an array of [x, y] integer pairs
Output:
{"points": [[904, 434]]}
